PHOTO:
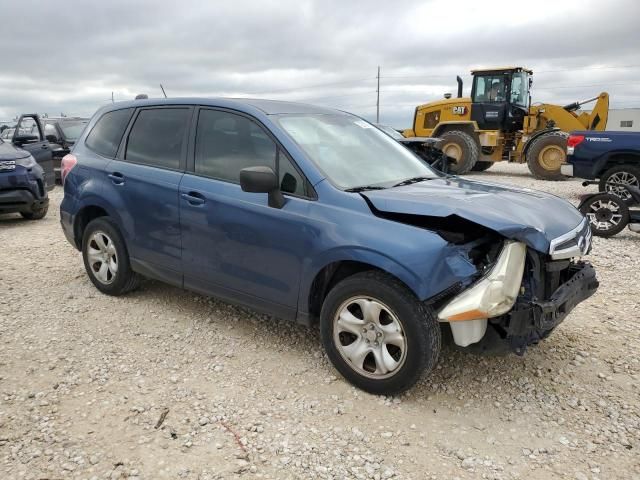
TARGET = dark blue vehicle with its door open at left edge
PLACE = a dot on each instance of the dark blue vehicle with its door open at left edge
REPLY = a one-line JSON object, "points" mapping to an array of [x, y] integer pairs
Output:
{"points": [[26, 170]]}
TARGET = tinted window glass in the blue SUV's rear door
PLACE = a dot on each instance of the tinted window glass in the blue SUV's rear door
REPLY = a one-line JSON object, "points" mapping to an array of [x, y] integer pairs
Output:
{"points": [[157, 137]]}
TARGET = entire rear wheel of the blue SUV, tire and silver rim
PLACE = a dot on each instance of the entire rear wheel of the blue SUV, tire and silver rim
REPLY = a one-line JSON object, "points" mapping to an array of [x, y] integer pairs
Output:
{"points": [[106, 259]]}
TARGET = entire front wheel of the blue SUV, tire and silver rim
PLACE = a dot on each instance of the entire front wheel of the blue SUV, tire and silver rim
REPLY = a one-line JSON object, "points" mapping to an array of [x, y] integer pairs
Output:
{"points": [[377, 334]]}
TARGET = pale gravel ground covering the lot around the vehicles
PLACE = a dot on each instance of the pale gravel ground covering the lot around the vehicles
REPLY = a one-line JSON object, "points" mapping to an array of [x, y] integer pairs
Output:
{"points": [[163, 383]]}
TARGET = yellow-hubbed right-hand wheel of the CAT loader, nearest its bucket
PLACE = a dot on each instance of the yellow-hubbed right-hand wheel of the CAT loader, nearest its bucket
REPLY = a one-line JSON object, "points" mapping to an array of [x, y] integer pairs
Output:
{"points": [[546, 154]]}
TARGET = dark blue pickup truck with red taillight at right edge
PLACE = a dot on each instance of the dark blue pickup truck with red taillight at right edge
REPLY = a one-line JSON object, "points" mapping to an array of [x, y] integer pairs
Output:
{"points": [[611, 157]]}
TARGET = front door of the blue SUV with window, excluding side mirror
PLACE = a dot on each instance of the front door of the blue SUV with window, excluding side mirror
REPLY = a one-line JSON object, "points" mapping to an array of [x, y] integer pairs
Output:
{"points": [[234, 245]]}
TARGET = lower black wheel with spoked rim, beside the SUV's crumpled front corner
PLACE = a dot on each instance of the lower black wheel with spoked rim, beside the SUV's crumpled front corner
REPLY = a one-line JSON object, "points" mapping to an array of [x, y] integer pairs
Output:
{"points": [[603, 211]]}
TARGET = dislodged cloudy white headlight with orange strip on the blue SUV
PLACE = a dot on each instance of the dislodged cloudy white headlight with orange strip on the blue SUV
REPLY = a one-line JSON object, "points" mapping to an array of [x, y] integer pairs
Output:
{"points": [[495, 293]]}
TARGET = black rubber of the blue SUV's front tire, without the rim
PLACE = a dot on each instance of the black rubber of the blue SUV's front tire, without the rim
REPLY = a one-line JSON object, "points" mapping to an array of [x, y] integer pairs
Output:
{"points": [[419, 325]]}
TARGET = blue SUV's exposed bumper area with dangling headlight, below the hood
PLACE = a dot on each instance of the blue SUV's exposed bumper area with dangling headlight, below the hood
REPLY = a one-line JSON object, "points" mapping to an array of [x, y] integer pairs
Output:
{"points": [[519, 302]]}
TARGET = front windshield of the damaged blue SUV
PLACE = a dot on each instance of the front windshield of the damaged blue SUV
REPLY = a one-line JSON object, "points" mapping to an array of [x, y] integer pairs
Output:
{"points": [[351, 152]]}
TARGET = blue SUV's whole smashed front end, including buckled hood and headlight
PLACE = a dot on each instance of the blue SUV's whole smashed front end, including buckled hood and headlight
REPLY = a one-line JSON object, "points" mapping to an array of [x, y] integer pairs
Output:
{"points": [[526, 277]]}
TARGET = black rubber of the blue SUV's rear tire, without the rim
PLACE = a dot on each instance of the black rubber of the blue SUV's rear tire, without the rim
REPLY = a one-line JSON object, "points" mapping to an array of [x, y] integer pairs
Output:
{"points": [[125, 279]]}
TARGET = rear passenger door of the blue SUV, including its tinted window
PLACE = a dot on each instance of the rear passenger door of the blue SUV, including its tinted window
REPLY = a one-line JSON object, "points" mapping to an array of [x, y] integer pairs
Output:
{"points": [[146, 175]]}
